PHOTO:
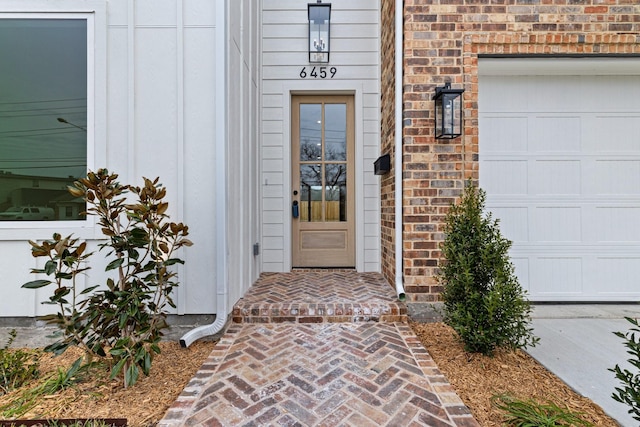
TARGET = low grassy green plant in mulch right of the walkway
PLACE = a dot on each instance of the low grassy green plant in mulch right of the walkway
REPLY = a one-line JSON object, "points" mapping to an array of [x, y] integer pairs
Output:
{"points": [[529, 413]]}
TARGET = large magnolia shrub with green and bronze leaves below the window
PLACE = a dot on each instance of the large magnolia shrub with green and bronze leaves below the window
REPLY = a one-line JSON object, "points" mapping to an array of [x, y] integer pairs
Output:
{"points": [[125, 319]]}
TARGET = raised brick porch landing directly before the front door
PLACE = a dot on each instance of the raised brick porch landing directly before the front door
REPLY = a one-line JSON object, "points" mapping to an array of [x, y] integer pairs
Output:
{"points": [[319, 296]]}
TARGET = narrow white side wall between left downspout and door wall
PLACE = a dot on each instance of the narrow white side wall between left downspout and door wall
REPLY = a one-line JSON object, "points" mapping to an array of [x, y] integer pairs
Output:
{"points": [[242, 147]]}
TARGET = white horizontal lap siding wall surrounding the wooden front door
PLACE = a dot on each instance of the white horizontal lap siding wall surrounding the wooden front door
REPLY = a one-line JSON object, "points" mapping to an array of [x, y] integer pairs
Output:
{"points": [[354, 51]]}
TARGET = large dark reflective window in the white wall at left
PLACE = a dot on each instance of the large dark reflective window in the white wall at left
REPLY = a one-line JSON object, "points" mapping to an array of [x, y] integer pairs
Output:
{"points": [[43, 114]]}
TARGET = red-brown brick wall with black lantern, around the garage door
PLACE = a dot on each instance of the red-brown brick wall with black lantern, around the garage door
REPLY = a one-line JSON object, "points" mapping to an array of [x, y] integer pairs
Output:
{"points": [[442, 41]]}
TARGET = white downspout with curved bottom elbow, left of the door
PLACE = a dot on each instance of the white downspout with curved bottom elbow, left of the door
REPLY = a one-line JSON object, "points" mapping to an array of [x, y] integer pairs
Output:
{"points": [[222, 285]]}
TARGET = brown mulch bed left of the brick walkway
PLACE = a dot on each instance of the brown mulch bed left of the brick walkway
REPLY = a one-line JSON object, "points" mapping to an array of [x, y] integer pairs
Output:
{"points": [[144, 404]]}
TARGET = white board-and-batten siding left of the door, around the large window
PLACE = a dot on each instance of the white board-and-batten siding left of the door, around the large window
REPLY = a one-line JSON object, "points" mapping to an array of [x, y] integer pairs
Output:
{"points": [[157, 113]]}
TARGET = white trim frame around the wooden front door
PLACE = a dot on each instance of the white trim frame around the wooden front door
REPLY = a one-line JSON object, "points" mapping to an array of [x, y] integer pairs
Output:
{"points": [[325, 88]]}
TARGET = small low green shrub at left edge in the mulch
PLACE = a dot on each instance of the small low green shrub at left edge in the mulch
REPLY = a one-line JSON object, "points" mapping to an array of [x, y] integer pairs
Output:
{"points": [[17, 366]]}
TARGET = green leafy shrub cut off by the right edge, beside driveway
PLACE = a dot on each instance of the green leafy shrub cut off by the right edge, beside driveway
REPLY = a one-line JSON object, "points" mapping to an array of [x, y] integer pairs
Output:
{"points": [[629, 392]]}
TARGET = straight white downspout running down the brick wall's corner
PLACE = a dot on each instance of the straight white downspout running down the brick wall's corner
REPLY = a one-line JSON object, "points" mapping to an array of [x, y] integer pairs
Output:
{"points": [[399, 54]]}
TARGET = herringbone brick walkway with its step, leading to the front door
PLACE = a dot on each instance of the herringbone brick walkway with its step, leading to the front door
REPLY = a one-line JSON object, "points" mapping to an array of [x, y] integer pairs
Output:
{"points": [[322, 373]]}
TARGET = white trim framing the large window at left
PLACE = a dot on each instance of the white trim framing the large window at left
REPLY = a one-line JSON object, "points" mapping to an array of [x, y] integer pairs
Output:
{"points": [[95, 13]]}
